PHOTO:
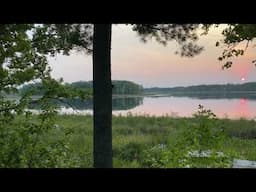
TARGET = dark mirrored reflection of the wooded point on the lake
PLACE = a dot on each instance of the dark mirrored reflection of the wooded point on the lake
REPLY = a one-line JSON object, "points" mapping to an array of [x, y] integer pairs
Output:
{"points": [[121, 103]]}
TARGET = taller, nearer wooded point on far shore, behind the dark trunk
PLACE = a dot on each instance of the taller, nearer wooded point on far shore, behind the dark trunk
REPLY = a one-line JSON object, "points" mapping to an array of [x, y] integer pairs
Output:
{"points": [[119, 87]]}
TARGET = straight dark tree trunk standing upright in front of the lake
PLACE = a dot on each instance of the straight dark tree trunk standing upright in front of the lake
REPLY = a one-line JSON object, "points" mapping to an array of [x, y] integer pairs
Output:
{"points": [[102, 96]]}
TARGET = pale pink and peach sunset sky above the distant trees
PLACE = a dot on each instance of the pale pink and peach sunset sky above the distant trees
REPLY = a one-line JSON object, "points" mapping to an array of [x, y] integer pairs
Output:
{"points": [[153, 64]]}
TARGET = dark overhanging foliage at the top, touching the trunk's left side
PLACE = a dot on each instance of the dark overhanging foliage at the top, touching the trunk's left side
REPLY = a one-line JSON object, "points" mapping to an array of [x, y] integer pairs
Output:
{"points": [[63, 38]]}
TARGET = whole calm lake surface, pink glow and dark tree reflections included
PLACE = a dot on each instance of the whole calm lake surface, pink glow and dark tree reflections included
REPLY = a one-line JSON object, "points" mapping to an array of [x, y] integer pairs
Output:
{"points": [[173, 106]]}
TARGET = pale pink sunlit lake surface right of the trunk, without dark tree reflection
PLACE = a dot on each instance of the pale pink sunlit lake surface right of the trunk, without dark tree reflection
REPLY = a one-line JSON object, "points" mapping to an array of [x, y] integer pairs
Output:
{"points": [[185, 107]]}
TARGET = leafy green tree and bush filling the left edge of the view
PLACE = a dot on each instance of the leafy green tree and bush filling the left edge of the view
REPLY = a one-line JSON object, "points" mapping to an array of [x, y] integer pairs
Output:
{"points": [[23, 59]]}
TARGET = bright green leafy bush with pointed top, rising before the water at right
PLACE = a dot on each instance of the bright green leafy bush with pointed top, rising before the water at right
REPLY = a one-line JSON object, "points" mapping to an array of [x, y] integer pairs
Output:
{"points": [[196, 146]]}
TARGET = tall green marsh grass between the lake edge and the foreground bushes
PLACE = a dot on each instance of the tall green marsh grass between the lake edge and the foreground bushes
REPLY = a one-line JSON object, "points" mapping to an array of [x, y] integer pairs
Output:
{"points": [[136, 139]]}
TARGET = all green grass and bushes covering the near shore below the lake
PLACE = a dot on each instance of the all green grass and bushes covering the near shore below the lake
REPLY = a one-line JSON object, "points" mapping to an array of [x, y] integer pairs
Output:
{"points": [[138, 141]]}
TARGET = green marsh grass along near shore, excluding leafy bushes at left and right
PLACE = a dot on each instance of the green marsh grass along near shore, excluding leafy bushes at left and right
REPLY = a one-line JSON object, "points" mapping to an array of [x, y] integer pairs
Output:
{"points": [[134, 134]]}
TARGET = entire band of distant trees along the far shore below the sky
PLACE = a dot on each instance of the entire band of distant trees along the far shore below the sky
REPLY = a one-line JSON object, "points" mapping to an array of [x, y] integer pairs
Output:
{"points": [[128, 87]]}
